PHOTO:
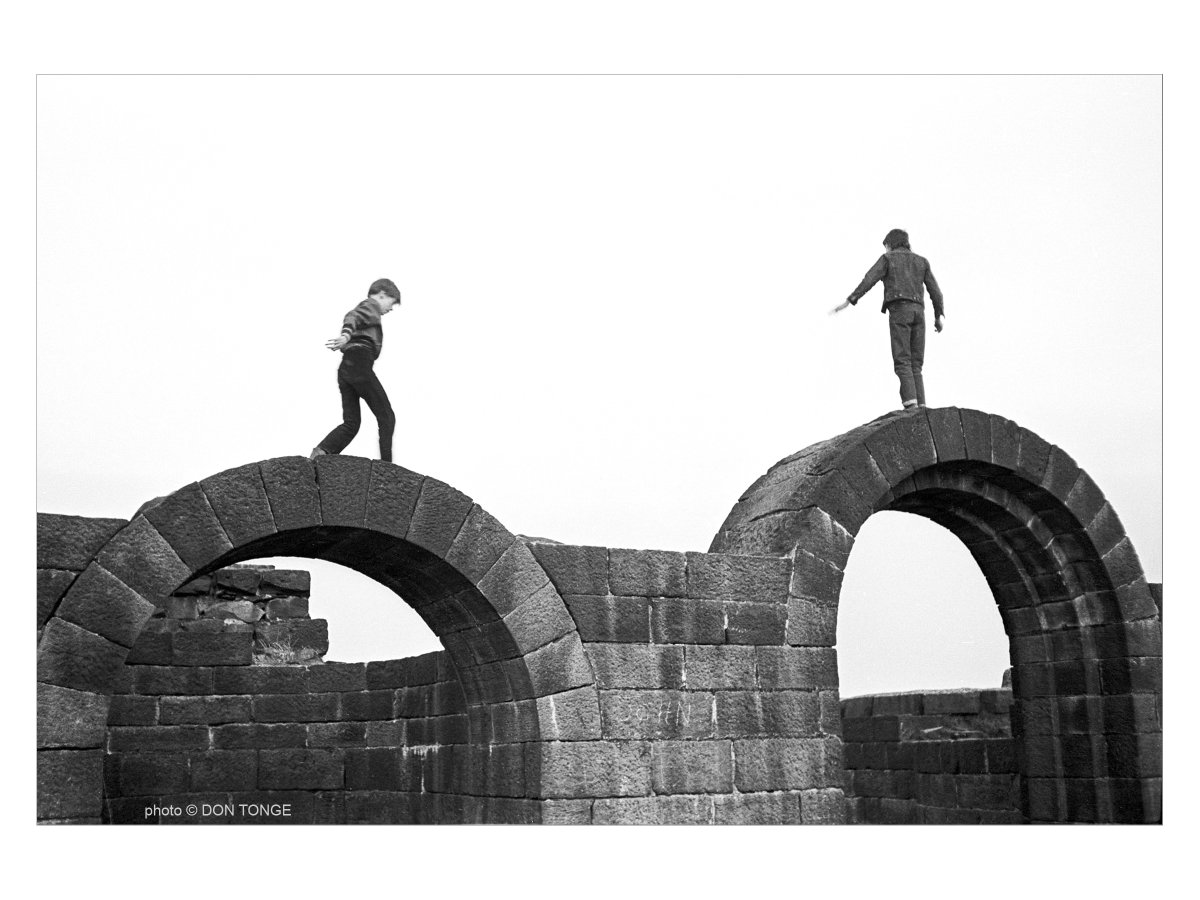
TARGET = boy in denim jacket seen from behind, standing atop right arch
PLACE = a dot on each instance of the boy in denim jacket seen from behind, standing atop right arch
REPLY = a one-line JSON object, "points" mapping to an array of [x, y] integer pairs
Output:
{"points": [[905, 278]]}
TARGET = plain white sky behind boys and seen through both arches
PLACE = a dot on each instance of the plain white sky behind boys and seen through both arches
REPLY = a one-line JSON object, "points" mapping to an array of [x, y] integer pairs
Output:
{"points": [[615, 297]]}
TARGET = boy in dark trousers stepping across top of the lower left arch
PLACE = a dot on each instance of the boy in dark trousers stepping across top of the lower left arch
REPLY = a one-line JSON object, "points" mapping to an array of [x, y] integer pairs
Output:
{"points": [[362, 343]]}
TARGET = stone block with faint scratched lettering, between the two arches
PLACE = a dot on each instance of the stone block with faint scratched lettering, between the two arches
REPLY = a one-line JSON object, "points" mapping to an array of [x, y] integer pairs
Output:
{"points": [[657, 716]]}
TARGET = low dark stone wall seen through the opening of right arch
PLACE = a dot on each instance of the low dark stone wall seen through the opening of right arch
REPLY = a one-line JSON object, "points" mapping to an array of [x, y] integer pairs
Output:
{"points": [[932, 758]]}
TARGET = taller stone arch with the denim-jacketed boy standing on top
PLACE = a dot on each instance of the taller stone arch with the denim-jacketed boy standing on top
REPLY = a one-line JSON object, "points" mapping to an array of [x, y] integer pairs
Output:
{"points": [[1085, 633]]}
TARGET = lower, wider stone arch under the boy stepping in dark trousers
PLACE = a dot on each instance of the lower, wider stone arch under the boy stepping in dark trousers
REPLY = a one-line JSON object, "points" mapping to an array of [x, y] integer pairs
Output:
{"points": [[512, 641]]}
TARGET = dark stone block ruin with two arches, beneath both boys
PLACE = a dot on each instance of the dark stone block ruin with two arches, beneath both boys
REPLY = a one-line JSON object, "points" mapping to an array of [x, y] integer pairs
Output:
{"points": [[590, 685]]}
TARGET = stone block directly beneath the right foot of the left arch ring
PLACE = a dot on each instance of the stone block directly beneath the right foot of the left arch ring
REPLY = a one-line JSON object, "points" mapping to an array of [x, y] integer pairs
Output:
{"points": [[589, 769]]}
